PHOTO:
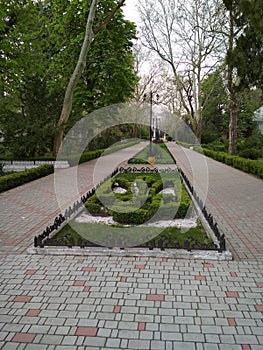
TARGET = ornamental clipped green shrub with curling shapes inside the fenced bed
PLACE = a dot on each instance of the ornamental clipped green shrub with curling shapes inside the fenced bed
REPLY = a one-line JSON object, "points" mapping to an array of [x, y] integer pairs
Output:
{"points": [[123, 206]]}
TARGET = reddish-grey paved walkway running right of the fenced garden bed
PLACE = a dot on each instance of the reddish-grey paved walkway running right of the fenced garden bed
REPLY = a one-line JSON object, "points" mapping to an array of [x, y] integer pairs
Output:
{"points": [[234, 198]]}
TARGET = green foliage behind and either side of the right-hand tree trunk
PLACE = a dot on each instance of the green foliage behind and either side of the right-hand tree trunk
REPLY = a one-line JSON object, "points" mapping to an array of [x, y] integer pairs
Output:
{"points": [[216, 115]]}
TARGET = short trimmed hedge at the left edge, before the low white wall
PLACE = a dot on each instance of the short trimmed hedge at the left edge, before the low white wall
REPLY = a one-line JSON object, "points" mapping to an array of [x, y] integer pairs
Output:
{"points": [[16, 179]]}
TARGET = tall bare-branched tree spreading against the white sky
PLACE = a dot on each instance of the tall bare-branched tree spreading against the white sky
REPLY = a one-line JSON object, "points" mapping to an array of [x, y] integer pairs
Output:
{"points": [[179, 32]]}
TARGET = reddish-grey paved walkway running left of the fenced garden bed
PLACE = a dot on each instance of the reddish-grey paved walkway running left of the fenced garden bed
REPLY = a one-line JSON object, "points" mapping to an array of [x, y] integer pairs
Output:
{"points": [[25, 211]]}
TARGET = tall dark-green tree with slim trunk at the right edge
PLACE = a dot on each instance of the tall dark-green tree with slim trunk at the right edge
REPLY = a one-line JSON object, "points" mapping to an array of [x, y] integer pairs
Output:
{"points": [[244, 55]]}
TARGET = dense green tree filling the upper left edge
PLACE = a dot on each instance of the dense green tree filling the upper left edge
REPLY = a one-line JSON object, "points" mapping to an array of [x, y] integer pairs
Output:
{"points": [[23, 115]]}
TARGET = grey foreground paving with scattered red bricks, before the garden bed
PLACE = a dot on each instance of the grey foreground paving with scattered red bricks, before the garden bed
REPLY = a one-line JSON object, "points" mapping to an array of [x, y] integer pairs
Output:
{"points": [[68, 303]]}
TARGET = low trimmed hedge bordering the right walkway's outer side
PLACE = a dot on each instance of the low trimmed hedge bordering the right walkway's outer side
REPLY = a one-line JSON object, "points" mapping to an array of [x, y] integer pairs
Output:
{"points": [[253, 167]]}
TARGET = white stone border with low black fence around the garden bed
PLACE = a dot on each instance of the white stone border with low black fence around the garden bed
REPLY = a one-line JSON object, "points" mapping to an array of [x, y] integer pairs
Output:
{"points": [[206, 218]]}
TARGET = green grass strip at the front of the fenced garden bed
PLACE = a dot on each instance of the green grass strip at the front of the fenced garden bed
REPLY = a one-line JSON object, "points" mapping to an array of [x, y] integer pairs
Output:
{"points": [[90, 235]]}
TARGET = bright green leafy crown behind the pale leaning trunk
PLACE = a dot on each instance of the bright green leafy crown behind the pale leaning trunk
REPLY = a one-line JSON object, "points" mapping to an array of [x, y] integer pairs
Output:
{"points": [[109, 76]]}
